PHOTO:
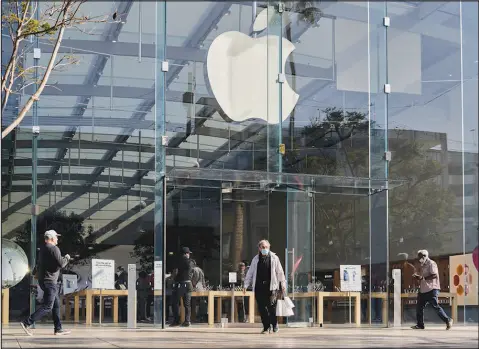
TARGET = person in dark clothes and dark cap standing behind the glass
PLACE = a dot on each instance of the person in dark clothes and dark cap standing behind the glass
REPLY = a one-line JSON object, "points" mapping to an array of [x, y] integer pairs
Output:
{"points": [[182, 288]]}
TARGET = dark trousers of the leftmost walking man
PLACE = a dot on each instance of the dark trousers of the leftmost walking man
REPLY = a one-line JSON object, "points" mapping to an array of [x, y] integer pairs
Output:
{"points": [[51, 303]]}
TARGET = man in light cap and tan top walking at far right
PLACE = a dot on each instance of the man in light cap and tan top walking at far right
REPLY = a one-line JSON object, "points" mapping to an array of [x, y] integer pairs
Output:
{"points": [[428, 277]]}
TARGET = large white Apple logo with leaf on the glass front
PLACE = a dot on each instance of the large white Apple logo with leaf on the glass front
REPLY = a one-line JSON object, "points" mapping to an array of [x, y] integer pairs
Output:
{"points": [[243, 74]]}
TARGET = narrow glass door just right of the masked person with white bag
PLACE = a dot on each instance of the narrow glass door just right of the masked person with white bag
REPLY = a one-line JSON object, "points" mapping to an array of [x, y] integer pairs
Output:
{"points": [[299, 259]]}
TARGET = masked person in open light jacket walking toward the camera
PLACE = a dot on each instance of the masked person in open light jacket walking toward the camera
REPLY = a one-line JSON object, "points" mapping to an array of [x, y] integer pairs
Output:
{"points": [[266, 276]]}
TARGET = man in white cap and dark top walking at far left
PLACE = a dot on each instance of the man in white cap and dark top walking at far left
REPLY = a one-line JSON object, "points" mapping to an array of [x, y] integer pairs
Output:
{"points": [[50, 262]]}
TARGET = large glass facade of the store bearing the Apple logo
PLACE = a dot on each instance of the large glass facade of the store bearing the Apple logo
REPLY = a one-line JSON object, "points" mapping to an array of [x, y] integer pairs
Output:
{"points": [[345, 133]]}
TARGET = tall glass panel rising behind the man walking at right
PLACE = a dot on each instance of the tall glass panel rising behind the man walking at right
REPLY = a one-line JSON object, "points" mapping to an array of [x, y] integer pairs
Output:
{"points": [[426, 137]]}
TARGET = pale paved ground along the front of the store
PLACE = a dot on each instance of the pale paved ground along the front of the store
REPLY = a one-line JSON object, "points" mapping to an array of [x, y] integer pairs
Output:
{"points": [[247, 337]]}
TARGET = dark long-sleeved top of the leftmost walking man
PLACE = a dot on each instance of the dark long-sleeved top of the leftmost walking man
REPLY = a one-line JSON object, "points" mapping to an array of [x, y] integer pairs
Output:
{"points": [[50, 262]]}
